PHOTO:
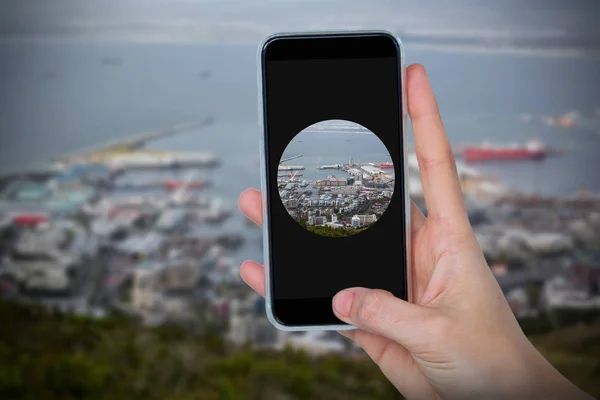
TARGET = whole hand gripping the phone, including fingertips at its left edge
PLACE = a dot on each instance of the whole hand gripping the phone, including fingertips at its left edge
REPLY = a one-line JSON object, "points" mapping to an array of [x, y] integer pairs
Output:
{"points": [[459, 340]]}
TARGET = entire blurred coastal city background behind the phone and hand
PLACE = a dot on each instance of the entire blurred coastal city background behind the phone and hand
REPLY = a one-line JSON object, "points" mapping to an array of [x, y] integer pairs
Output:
{"points": [[128, 129]]}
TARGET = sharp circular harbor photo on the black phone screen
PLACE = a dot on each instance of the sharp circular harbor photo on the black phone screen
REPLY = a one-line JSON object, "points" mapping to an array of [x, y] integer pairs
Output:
{"points": [[336, 178]]}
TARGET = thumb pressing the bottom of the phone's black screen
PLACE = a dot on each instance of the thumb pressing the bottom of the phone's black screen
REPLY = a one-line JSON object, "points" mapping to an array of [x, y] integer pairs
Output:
{"points": [[379, 312]]}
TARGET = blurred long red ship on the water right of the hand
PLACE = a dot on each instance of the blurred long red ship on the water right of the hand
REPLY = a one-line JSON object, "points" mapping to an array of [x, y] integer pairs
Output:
{"points": [[533, 150]]}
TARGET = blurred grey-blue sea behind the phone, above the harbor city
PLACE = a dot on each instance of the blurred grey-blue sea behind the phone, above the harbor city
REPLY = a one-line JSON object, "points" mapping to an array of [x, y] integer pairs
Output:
{"points": [[57, 98]]}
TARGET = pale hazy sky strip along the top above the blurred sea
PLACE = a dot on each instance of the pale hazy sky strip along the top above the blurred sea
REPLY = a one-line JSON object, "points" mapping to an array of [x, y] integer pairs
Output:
{"points": [[247, 21]]}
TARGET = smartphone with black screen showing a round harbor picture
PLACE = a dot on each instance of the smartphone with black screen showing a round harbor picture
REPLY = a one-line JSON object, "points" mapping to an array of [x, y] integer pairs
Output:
{"points": [[332, 112]]}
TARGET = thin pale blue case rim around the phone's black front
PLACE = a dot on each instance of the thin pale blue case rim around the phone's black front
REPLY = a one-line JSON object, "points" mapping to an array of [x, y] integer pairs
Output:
{"points": [[264, 177]]}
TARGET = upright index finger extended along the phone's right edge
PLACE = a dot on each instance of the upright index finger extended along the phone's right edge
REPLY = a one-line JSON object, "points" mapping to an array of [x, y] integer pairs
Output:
{"points": [[441, 187]]}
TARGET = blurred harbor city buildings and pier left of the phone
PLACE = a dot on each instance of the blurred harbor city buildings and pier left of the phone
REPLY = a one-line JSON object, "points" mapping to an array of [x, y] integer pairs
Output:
{"points": [[83, 234]]}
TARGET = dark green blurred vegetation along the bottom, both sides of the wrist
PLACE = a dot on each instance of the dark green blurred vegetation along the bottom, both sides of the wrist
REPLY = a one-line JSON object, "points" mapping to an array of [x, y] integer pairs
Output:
{"points": [[49, 355]]}
